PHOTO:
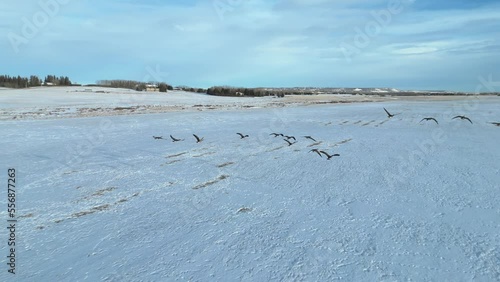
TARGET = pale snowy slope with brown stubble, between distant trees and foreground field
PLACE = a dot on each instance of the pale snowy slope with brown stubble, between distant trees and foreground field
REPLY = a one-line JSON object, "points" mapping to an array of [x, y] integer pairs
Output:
{"points": [[63, 102]]}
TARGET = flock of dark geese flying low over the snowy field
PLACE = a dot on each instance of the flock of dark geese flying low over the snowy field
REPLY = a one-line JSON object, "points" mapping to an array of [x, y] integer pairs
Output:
{"points": [[288, 138]]}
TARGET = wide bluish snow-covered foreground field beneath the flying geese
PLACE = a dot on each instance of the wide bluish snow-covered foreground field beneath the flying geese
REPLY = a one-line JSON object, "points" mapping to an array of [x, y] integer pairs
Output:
{"points": [[100, 200]]}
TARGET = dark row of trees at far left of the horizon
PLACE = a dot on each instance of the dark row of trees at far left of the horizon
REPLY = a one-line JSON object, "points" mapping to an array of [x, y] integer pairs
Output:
{"points": [[32, 81]]}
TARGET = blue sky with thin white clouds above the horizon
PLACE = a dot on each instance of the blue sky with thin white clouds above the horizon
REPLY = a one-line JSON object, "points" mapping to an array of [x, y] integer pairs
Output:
{"points": [[420, 44]]}
